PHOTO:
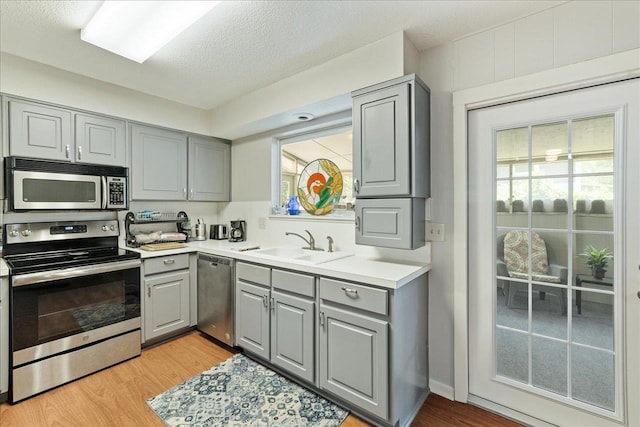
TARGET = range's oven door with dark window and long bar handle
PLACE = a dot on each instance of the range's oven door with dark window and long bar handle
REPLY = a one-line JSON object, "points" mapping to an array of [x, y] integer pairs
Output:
{"points": [[56, 311]]}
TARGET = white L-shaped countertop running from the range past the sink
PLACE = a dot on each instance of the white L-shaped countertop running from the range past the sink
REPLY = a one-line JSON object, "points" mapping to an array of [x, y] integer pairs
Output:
{"points": [[384, 273]]}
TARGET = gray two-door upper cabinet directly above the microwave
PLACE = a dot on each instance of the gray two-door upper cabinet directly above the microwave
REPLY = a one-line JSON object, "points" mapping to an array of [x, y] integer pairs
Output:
{"points": [[42, 131]]}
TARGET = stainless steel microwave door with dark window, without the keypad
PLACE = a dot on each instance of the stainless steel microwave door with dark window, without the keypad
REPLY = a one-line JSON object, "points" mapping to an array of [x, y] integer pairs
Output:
{"points": [[50, 190]]}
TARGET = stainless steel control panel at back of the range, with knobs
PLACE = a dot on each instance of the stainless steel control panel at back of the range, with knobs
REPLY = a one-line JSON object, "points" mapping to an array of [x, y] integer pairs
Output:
{"points": [[45, 231]]}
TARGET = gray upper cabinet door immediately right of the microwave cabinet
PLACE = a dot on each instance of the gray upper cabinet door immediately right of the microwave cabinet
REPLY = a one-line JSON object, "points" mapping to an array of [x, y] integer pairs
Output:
{"points": [[159, 164]]}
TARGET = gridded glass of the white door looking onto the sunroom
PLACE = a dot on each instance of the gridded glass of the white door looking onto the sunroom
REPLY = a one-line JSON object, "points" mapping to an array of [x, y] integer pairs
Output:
{"points": [[554, 318]]}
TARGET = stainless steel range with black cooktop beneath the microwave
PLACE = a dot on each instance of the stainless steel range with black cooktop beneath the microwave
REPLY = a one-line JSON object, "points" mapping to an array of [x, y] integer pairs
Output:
{"points": [[75, 302]]}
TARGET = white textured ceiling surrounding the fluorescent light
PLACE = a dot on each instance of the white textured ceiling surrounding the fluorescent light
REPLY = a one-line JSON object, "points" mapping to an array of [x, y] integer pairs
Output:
{"points": [[242, 46]]}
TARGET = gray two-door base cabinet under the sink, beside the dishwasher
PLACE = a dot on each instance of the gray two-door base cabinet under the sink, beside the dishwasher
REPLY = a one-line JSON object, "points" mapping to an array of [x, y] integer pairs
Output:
{"points": [[275, 312]]}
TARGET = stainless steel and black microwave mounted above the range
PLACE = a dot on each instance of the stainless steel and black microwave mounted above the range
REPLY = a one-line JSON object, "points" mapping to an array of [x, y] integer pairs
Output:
{"points": [[33, 184]]}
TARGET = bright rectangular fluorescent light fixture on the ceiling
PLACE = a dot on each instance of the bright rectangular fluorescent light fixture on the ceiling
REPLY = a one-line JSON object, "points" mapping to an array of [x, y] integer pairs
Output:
{"points": [[138, 29]]}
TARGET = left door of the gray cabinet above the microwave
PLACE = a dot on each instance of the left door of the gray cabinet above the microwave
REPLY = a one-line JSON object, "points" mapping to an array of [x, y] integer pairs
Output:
{"points": [[39, 131]]}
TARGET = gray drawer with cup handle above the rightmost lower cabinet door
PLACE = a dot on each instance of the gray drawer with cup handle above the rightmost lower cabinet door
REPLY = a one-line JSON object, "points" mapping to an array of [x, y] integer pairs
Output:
{"points": [[352, 295]]}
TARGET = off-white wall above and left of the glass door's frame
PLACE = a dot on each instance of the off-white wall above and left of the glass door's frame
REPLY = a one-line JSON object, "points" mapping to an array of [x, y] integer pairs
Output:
{"points": [[567, 34]]}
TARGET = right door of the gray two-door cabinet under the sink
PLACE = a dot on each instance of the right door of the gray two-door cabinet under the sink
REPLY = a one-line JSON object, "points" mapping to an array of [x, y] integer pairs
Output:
{"points": [[292, 326]]}
